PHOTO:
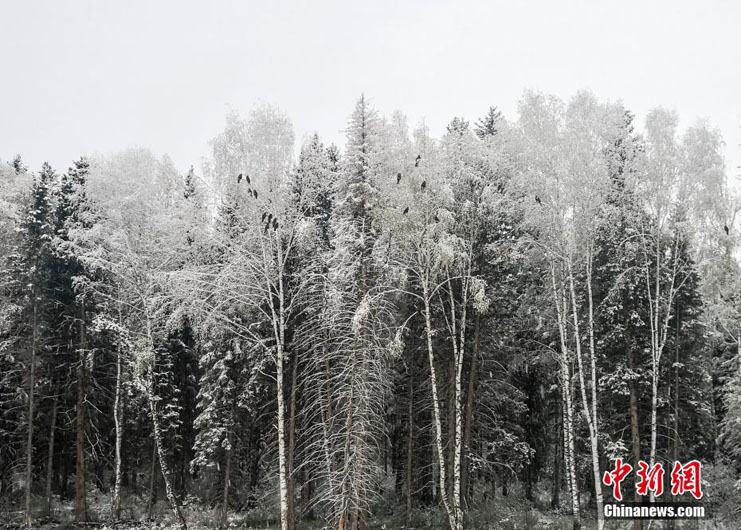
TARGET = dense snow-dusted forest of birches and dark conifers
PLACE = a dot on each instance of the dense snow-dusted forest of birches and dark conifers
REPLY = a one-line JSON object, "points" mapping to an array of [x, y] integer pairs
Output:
{"points": [[455, 332]]}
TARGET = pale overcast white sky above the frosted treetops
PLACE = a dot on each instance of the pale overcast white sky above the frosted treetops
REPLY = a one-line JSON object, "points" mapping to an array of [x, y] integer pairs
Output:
{"points": [[87, 77]]}
